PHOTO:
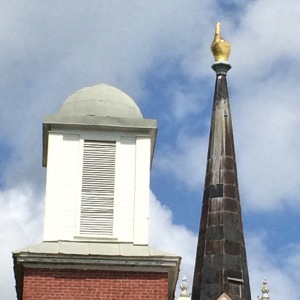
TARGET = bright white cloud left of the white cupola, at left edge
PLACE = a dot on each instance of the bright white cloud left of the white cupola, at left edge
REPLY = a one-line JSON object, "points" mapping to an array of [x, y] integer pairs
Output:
{"points": [[21, 223]]}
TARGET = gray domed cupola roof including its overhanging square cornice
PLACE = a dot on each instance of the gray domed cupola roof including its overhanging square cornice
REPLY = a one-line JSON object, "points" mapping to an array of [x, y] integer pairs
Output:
{"points": [[99, 107]]}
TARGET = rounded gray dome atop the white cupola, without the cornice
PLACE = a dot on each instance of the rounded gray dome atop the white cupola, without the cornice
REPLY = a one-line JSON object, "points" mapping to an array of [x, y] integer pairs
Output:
{"points": [[100, 100]]}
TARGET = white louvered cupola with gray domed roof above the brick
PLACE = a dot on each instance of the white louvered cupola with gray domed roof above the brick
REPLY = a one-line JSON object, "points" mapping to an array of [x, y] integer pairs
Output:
{"points": [[98, 151]]}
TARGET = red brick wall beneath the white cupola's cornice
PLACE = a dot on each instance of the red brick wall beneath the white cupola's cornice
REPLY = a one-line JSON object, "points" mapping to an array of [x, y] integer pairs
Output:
{"points": [[93, 284]]}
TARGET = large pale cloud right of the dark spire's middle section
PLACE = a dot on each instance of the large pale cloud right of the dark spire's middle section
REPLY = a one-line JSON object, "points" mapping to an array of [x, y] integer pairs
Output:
{"points": [[267, 126]]}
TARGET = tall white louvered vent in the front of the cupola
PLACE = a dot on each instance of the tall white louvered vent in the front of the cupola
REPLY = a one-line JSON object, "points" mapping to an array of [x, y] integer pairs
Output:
{"points": [[97, 194]]}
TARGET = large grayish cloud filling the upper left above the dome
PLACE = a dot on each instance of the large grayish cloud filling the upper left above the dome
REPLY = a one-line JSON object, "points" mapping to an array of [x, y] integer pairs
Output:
{"points": [[51, 50]]}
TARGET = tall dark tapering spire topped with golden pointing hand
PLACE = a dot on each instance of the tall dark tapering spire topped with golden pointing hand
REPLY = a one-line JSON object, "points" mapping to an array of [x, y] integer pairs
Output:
{"points": [[221, 266]]}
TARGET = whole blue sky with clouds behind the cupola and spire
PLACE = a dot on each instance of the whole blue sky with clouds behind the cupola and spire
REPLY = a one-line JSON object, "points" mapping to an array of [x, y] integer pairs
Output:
{"points": [[159, 54]]}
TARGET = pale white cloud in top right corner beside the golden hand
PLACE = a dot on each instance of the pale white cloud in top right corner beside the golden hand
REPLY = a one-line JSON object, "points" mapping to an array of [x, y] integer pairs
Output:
{"points": [[267, 32]]}
